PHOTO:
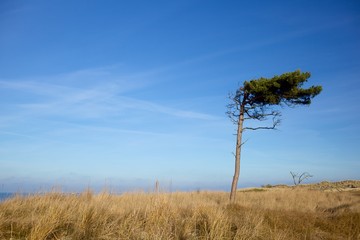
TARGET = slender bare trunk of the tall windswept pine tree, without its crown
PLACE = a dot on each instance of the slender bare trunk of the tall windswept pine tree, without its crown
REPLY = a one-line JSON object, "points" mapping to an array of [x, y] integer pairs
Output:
{"points": [[237, 155]]}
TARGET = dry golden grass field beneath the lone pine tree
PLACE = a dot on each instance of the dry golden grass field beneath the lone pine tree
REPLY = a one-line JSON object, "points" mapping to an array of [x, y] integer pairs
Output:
{"points": [[265, 213]]}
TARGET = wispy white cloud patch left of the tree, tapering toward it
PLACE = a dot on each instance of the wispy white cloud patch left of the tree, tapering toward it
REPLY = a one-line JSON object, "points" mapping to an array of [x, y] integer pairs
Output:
{"points": [[102, 98]]}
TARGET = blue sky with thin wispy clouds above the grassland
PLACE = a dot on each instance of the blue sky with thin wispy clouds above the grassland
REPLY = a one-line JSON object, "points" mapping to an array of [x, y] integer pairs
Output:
{"points": [[117, 94]]}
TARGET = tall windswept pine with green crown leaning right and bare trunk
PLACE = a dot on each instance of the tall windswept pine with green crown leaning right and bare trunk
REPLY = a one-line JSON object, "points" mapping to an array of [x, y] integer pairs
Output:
{"points": [[258, 100]]}
